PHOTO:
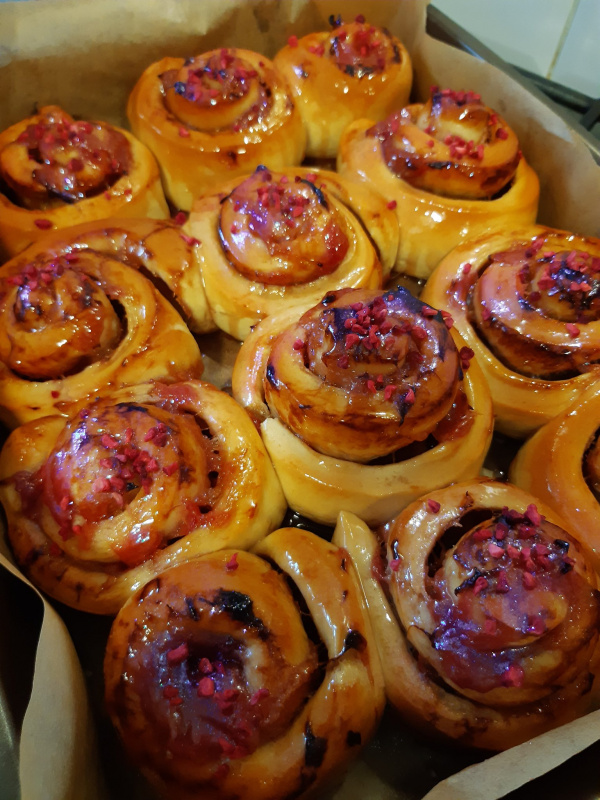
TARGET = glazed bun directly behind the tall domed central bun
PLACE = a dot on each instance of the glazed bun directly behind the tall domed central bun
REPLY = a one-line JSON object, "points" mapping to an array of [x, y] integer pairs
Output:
{"points": [[274, 238]]}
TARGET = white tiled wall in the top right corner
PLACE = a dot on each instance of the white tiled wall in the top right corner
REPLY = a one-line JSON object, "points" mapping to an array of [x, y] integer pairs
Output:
{"points": [[558, 39]]}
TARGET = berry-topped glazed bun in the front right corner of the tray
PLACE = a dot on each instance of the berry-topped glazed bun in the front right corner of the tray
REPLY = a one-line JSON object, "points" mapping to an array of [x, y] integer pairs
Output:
{"points": [[487, 613]]}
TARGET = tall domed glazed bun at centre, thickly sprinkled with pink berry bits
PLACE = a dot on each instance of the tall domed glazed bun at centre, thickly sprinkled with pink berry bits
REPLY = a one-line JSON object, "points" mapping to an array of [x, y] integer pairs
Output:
{"points": [[327, 399]]}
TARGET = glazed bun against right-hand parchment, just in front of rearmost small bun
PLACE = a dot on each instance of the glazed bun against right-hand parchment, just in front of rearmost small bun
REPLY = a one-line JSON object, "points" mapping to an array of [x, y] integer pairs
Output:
{"points": [[452, 168]]}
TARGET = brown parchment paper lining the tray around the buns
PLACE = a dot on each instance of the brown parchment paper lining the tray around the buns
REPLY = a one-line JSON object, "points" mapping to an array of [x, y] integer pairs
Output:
{"points": [[86, 55]]}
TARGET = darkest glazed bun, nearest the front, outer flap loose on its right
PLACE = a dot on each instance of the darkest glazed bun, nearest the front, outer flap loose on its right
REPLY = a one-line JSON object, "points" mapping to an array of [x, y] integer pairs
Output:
{"points": [[219, 689]]}
